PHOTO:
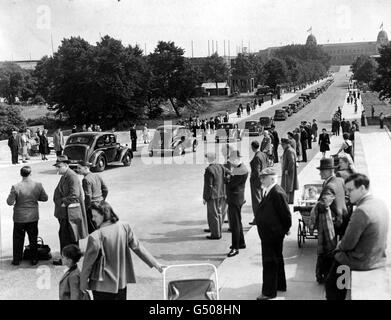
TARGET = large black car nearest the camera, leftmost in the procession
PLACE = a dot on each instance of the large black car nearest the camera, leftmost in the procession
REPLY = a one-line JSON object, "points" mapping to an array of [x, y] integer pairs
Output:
{"points": [[99, 148]]}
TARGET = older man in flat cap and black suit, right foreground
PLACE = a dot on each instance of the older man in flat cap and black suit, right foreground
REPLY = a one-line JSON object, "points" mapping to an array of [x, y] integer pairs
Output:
{"points": [[273, 222]]}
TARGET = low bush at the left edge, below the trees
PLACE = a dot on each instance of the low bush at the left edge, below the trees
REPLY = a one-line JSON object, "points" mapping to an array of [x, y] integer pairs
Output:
{"points": [[10, 119]]}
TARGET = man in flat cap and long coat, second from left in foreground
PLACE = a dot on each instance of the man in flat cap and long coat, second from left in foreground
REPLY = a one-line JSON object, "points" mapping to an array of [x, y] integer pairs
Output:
{"points": [[69, 206]]}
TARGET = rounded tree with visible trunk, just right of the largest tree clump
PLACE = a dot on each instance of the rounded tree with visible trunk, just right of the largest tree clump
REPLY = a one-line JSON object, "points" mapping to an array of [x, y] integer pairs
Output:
{"points": [[173, 78]]}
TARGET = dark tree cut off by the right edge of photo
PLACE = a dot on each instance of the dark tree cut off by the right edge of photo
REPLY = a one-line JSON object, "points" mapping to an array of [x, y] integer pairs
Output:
{"points": [[382, 84]]}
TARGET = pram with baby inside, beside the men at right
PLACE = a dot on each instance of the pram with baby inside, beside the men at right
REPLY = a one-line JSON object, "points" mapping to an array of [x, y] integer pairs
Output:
{"points": [[304, 207]]}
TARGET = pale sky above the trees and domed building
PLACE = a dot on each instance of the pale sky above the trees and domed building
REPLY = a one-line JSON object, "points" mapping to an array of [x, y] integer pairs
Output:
{"points": [[27, 26]]}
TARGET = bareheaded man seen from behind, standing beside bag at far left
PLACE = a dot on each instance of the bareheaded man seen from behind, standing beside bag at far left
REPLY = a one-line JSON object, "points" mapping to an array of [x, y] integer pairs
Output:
{"points": [[24, 196]]}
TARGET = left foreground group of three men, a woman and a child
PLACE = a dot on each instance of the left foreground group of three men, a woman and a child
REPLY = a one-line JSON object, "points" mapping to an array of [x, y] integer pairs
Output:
{"points": [[82, 212]]}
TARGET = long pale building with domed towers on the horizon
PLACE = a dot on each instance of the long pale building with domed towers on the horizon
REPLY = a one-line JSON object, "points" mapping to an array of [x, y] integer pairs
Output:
{"points": [[342, 53]]}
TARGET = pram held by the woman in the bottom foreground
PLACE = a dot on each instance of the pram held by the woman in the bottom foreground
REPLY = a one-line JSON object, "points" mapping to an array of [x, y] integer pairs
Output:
{"points": [[191, 289]]}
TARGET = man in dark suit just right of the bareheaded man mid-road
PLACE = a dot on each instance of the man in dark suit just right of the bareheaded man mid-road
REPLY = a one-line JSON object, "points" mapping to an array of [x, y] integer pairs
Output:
{"points": [[236, 182]]}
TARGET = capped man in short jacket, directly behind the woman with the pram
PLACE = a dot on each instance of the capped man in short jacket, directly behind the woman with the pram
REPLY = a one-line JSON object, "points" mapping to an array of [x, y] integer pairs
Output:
{"points": [[95, 190]]}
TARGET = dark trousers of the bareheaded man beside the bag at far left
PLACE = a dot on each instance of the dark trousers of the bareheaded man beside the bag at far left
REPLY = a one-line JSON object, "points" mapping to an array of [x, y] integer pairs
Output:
{"points": [[18, 239]]}
